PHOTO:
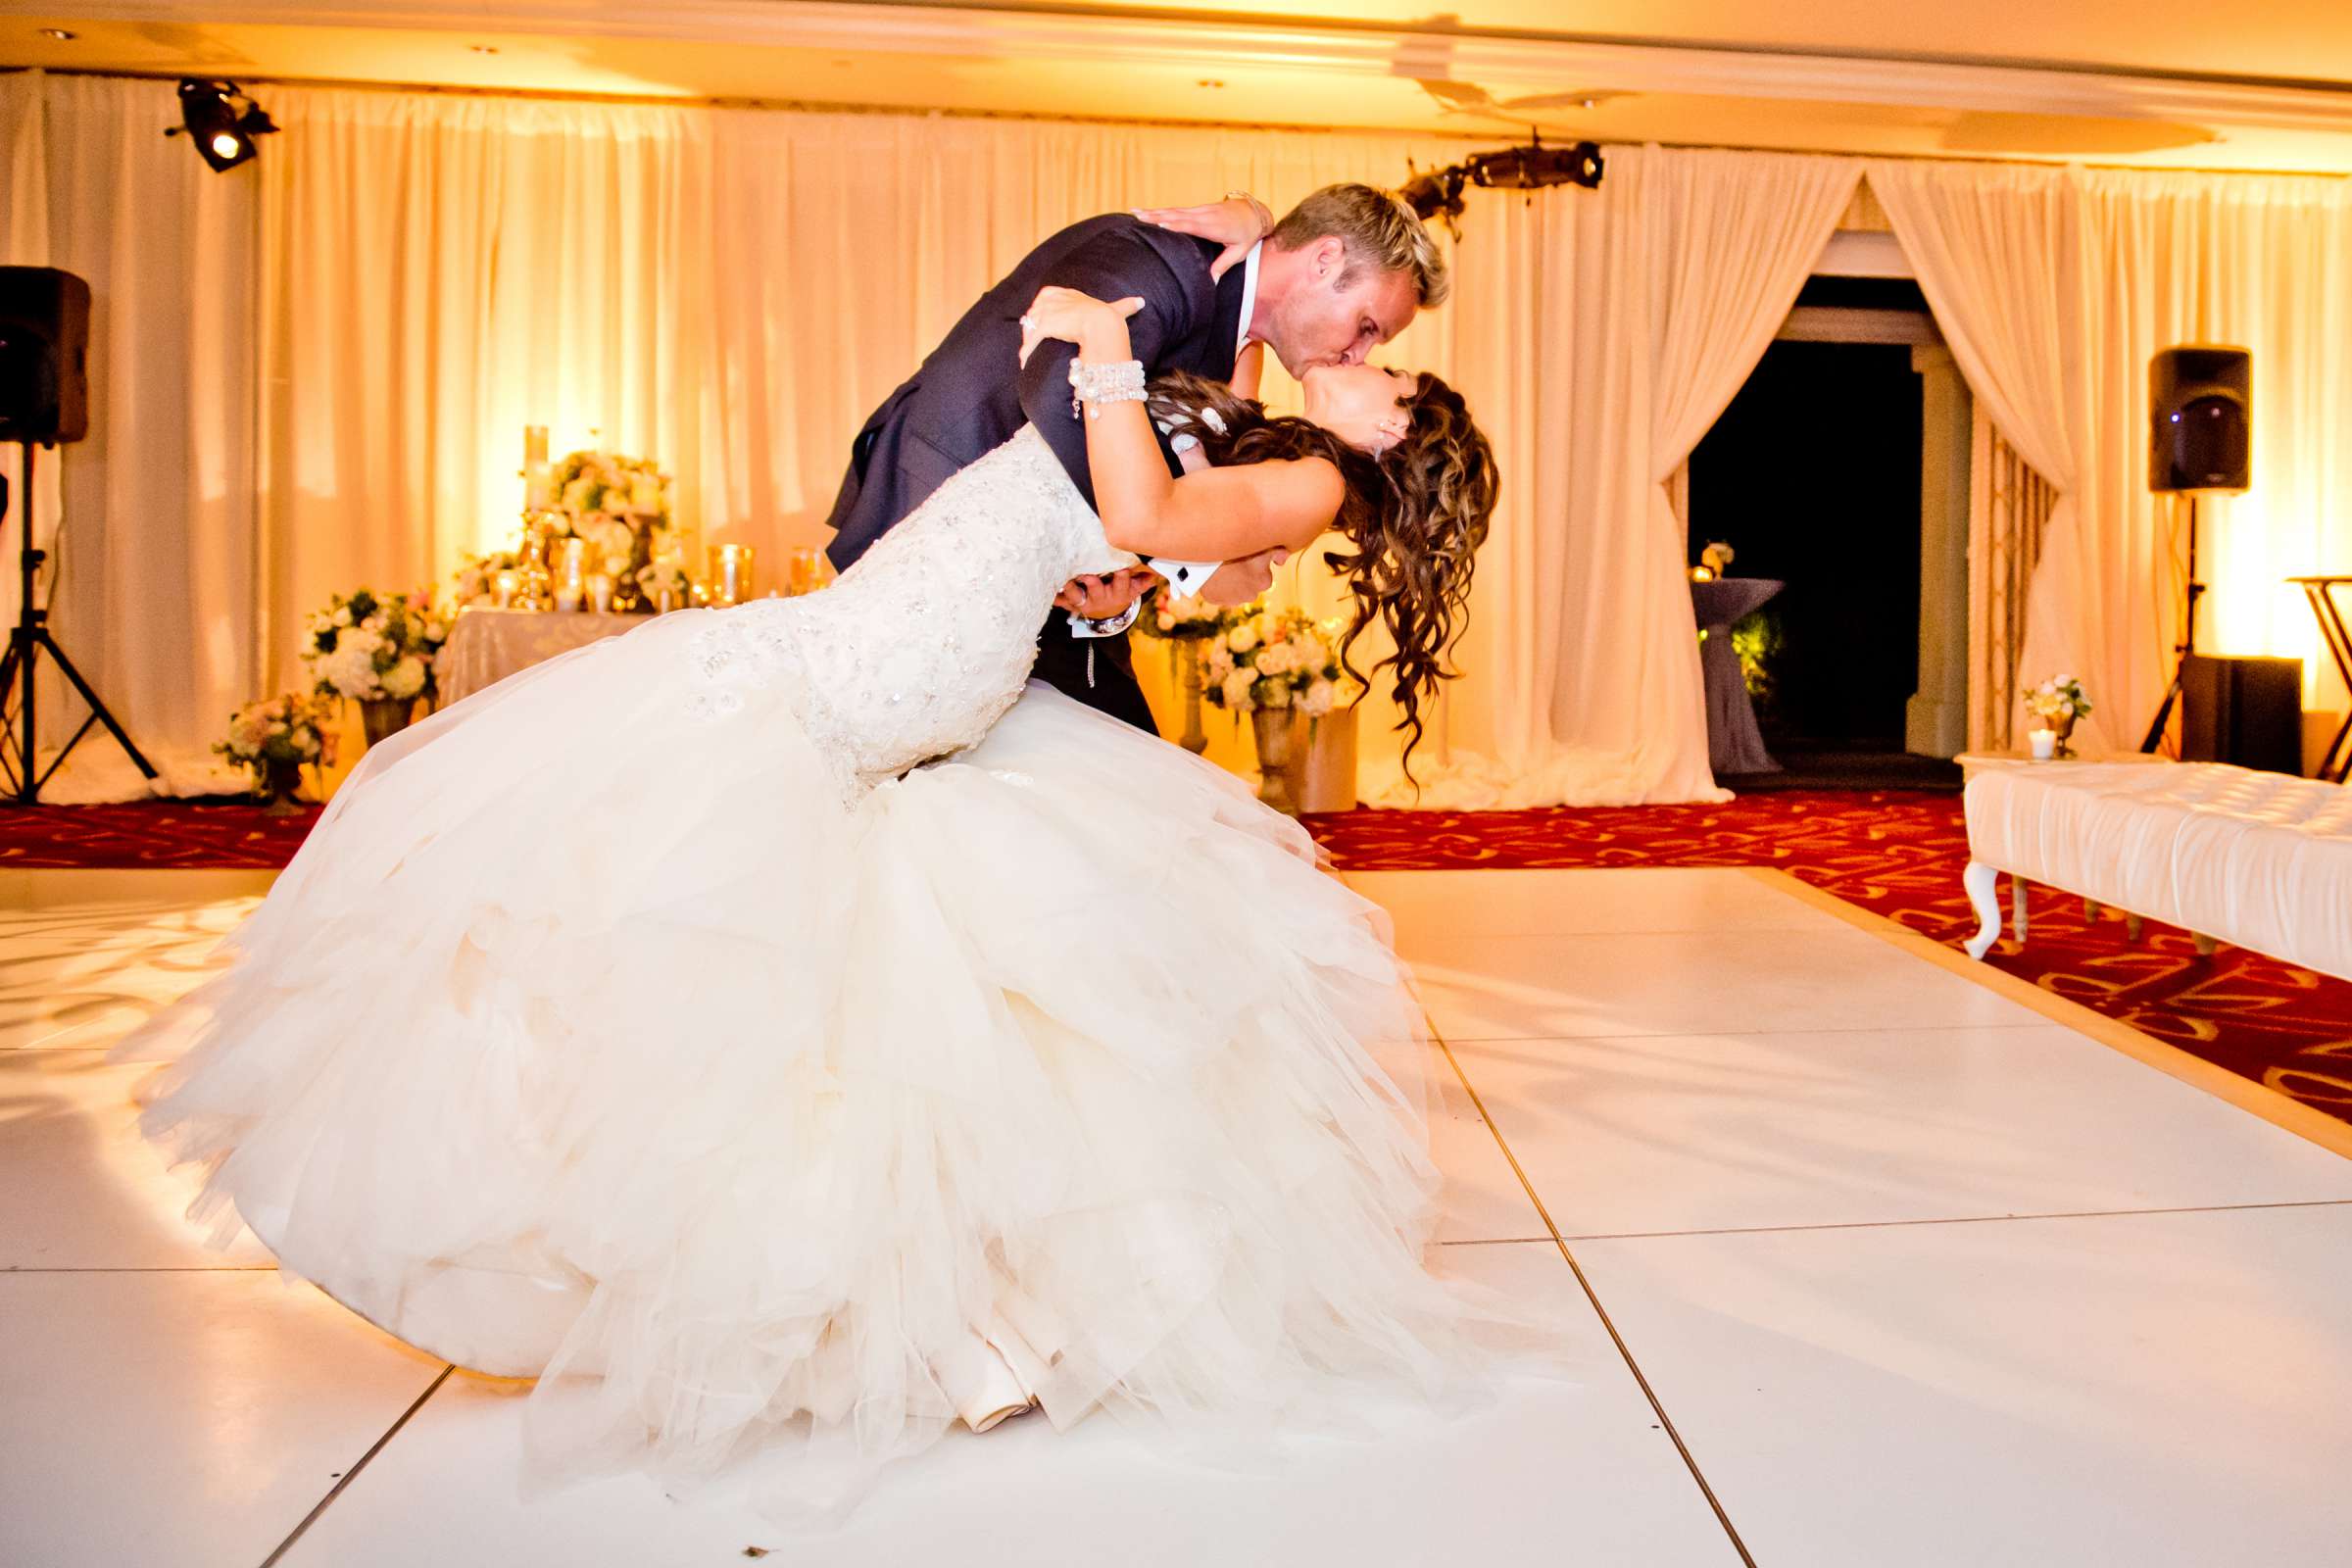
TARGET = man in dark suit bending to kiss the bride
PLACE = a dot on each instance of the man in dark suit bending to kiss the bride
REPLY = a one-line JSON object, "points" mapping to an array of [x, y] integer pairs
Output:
{"points": [[1339, 276]]}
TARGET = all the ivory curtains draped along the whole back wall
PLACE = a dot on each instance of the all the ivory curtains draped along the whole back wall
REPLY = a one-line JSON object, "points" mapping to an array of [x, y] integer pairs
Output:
{"points": [[314, 373]]}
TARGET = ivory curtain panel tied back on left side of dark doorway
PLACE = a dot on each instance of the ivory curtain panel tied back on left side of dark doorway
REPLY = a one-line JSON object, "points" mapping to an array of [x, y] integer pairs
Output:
{"points": [[1598, 342]]}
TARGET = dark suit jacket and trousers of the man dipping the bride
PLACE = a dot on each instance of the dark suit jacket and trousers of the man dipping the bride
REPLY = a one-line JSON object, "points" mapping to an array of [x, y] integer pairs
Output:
{"points": [[973, 396]]}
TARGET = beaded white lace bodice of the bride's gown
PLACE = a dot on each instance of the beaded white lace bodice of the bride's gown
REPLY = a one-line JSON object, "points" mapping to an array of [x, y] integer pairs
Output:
{"points": [[923, 645]]}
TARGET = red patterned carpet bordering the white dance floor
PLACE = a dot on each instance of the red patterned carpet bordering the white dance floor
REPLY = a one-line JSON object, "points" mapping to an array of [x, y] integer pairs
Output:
{"points": [[1890, 852]]}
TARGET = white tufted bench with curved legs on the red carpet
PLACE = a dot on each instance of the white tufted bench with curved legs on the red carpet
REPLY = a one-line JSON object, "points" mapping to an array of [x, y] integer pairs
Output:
{"points": [[2224, 852]]}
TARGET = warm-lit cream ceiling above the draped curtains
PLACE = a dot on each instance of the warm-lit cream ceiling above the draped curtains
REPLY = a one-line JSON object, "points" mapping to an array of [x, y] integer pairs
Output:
{"points": [[2177, 83]]}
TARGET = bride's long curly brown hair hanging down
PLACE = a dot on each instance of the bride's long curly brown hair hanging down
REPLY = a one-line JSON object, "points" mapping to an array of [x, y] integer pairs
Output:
{"points": [[1415, 516]]}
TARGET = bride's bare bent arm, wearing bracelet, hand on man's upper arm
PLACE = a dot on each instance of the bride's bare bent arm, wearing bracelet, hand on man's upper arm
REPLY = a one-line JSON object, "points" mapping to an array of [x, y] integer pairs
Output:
{"points": [[1212, 516]]}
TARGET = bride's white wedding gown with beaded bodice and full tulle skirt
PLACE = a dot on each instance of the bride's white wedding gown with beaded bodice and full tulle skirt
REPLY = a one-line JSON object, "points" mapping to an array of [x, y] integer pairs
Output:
{"points": [[650, 1024]]}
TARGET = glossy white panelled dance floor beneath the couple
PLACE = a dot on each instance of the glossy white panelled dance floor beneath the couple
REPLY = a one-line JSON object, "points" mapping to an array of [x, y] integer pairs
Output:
{"points": [[1878, 1261]]}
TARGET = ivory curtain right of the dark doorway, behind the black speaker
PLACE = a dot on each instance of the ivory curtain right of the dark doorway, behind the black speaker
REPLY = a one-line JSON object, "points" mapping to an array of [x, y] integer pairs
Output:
{"points": [[2054, 290]]}
